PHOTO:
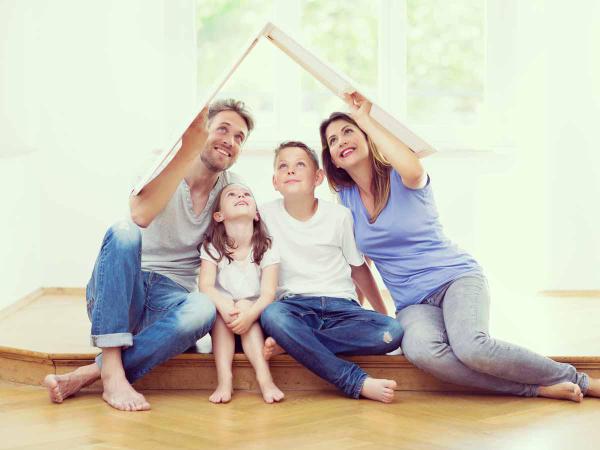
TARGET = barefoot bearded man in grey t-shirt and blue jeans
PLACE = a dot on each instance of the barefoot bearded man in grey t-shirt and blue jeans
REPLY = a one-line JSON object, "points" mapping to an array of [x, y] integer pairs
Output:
{"points": [[142, 298]]}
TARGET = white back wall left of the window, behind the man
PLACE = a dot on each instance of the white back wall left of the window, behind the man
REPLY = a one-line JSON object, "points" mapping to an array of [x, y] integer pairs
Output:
{"points": [[117, 75]]}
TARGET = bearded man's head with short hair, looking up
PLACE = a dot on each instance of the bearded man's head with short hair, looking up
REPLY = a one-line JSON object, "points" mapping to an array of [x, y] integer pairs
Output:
{"points": [[229, 124]]}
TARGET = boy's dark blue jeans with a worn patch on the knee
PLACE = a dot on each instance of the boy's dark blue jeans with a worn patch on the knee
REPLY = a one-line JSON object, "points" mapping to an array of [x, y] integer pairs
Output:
{"points": [[313, 330]]}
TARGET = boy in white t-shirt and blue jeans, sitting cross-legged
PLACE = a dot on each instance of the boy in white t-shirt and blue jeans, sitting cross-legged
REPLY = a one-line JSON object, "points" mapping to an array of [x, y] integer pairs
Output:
{"points": [[317, 315]]}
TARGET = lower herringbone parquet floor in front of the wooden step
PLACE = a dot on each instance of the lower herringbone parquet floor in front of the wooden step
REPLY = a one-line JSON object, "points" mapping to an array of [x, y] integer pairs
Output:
{"points": [[304, 420]]}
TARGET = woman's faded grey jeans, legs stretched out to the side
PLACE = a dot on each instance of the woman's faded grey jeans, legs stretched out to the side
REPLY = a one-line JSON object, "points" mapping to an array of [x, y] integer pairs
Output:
{"points": [[447, 335]]}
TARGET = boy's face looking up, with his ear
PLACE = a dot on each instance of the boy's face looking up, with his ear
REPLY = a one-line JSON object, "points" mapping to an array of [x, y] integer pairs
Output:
{"points": [[295, 173]]}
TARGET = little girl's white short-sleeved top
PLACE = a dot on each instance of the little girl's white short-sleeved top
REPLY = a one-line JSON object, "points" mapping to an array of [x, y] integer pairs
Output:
{"points": [[240, 279]]}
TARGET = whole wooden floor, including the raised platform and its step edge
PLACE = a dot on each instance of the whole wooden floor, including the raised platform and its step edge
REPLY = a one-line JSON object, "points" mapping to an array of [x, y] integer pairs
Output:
{"points": [[48, 332]]}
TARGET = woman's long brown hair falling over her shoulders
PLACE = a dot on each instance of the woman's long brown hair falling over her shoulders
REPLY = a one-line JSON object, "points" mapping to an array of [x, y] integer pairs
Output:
{"points": [[338, 178]]}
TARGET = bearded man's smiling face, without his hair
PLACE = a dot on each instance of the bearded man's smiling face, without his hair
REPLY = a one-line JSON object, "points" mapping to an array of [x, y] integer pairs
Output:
{"points": [[227, 131]]}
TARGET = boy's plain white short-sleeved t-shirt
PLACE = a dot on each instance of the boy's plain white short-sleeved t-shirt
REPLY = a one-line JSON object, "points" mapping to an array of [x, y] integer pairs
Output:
{"points": [[315, 255]]}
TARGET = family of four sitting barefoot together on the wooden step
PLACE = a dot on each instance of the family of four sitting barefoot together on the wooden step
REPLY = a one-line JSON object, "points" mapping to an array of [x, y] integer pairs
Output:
{"points": [[291, 270]]}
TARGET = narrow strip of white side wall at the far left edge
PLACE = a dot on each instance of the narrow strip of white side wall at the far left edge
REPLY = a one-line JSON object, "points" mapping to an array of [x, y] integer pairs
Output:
{"points": [[20, 230]]}
